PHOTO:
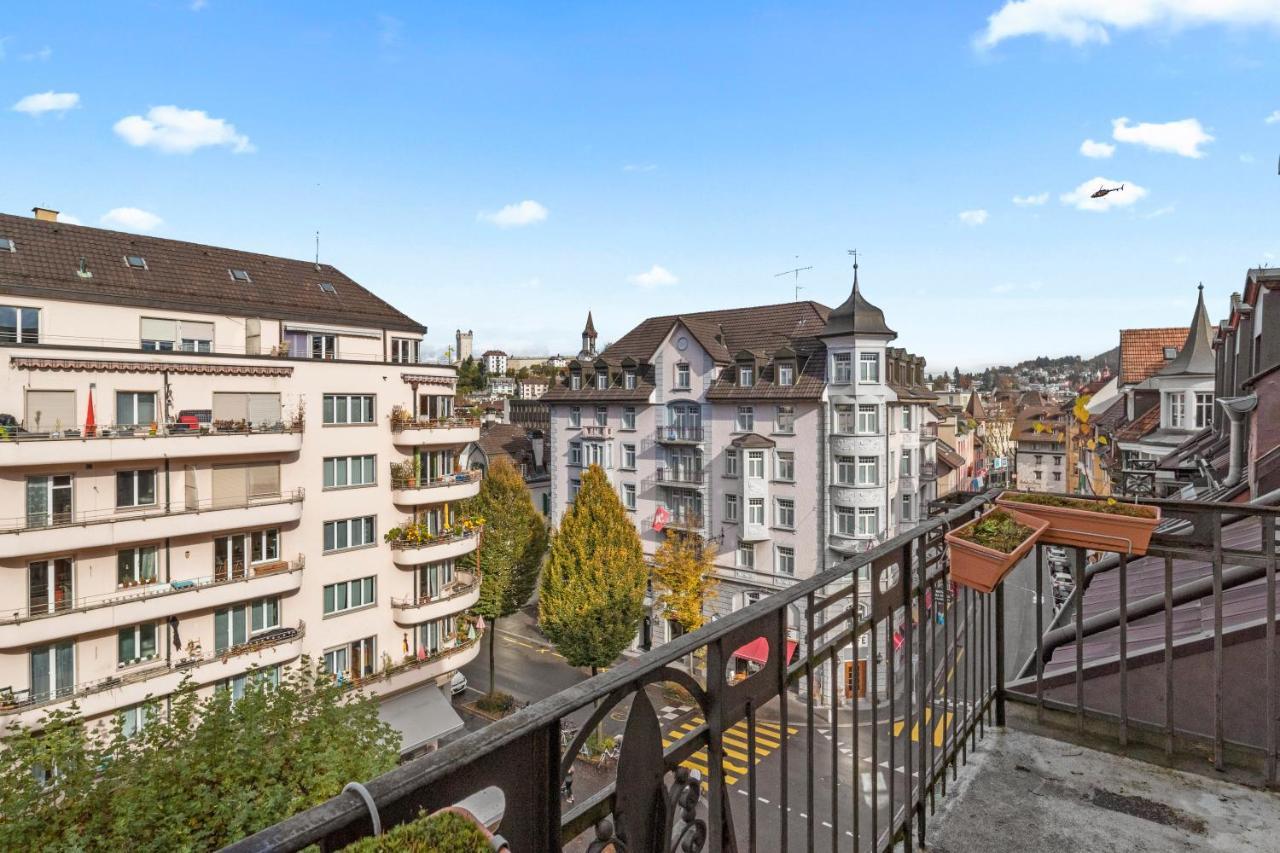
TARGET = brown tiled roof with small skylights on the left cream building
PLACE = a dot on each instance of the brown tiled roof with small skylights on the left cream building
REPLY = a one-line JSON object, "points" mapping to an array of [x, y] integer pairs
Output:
{"points": [[182, 277]]}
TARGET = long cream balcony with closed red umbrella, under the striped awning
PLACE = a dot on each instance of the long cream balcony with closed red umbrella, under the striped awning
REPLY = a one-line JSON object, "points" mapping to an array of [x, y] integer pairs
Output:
{"points": [[167, 441]]}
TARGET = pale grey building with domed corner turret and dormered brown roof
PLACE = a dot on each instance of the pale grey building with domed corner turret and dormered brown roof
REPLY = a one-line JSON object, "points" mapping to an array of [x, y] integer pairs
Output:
{"points": [[787, 436]]}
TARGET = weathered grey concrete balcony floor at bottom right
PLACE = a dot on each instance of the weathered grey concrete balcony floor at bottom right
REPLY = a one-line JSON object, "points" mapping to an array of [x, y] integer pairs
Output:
{"points": [[1027, 793]]}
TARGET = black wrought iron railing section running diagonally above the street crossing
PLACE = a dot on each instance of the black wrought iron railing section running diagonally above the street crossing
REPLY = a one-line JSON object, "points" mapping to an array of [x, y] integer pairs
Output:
{"points": [[939, 672]]}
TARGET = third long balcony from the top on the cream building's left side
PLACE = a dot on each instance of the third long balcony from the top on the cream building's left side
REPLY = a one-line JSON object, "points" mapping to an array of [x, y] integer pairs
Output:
{"points": [[148, 603]]}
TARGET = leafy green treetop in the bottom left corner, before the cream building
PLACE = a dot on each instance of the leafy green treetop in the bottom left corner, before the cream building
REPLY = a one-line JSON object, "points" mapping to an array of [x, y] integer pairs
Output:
{"points": [[209, 773]]}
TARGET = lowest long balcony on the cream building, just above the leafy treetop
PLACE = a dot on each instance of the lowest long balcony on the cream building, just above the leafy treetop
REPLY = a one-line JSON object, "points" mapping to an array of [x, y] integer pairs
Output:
{"points": [[136, 685]]}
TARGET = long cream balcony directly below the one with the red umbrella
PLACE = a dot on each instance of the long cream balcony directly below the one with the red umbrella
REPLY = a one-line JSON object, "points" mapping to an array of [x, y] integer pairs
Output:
{"points": [[103, 528]]}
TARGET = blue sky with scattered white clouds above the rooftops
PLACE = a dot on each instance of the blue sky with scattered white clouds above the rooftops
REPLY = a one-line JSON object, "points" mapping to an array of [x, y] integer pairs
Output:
{"points": [[509, 167]]}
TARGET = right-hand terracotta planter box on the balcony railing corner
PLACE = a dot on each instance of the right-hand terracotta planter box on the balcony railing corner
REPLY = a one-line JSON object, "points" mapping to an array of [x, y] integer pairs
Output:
{"points": [[1101, 526]]}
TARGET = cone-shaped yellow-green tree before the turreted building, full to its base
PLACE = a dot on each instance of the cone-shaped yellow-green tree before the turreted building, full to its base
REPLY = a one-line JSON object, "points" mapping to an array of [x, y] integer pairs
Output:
{"points": [[592, 597]]}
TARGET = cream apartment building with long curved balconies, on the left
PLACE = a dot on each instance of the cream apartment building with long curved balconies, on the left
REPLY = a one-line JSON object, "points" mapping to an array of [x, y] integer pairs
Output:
{"points": [[203, 454]]}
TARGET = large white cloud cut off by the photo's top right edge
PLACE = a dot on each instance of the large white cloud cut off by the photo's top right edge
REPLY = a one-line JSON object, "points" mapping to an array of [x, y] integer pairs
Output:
{"points": [[1081, 22]]}
